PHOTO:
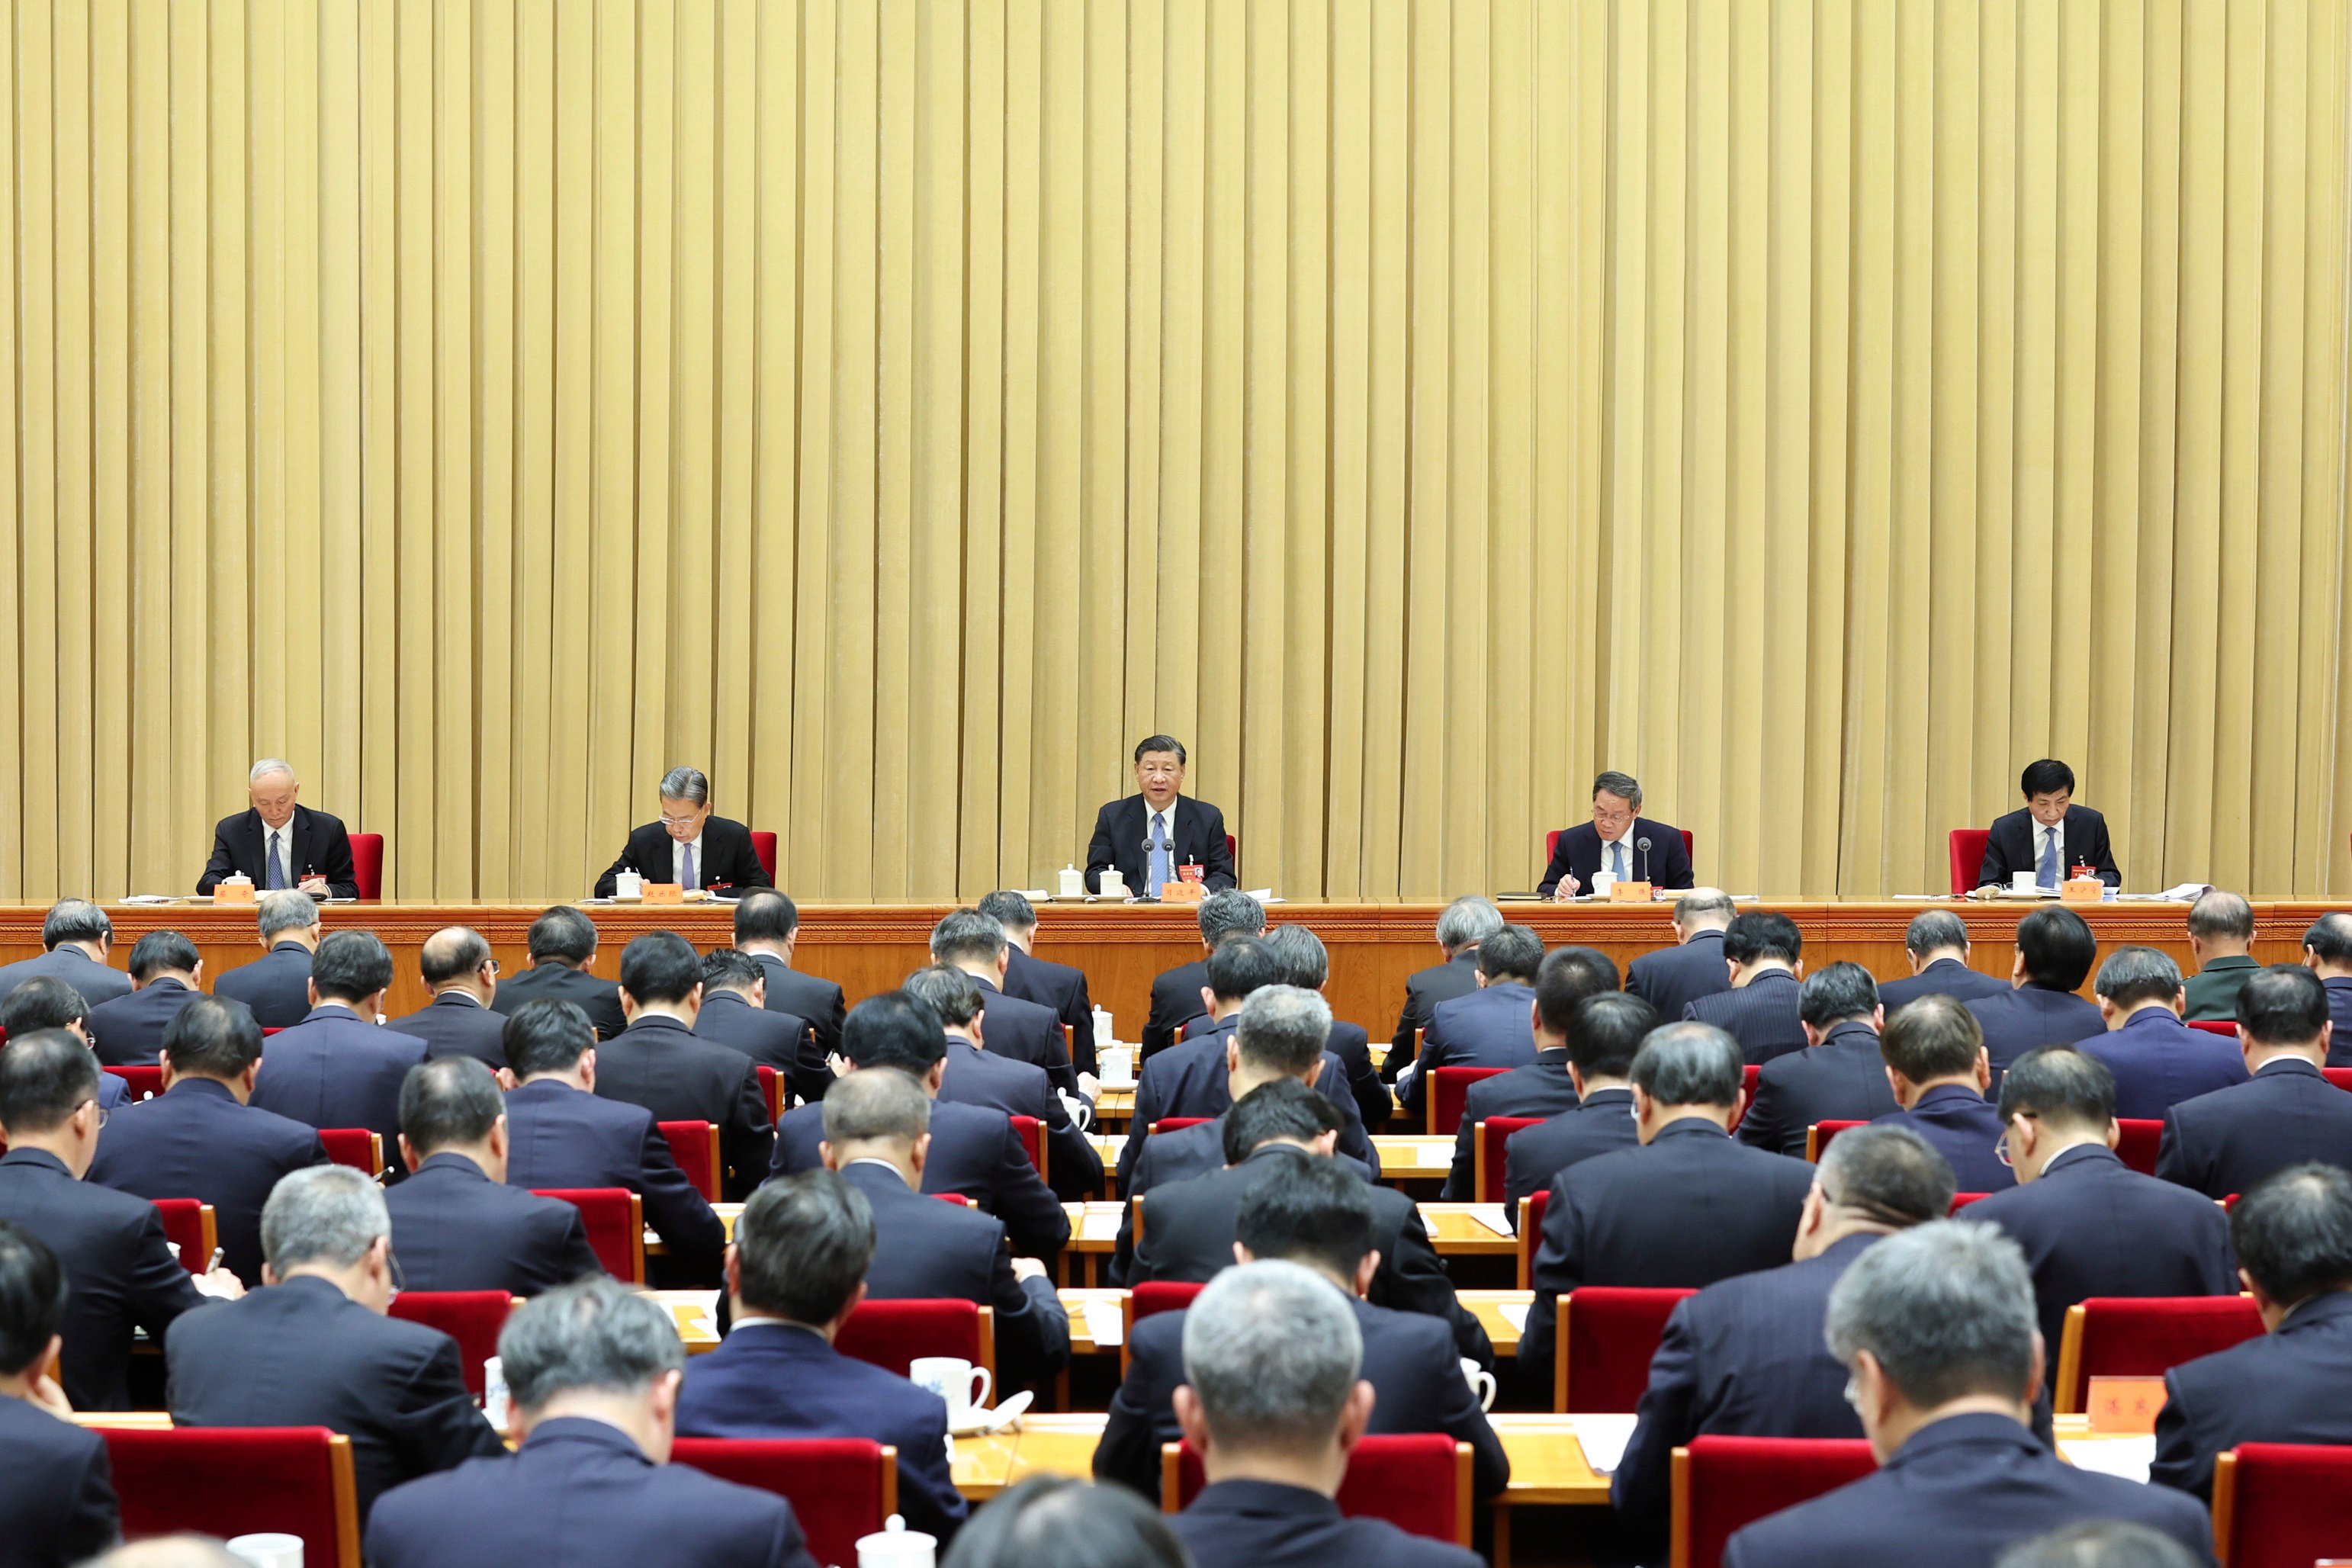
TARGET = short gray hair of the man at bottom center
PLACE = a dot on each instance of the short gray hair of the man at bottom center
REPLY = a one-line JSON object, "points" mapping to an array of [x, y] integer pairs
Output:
{"points": [[1274, 1353]]}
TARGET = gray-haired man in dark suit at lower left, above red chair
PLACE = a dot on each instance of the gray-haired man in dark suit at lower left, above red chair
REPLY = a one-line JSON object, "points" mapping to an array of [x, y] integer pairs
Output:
{"points": [[333, 1355]]}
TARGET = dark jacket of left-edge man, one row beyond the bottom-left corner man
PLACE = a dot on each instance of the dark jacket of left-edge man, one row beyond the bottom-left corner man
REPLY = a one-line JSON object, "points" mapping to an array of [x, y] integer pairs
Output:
{"points": [[119, 1271]]}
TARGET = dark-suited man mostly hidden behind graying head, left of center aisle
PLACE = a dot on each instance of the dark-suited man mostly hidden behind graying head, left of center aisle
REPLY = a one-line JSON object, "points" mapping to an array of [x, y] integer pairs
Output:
{"points": [[975, 1148]]}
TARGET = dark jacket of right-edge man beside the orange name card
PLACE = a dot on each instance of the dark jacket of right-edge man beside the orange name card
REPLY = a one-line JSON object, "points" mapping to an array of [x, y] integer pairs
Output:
{"points": [[2292, 1386]]}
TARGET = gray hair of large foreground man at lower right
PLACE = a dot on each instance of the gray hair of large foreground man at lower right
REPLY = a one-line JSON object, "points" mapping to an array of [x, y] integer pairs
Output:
{"points": [[1946, 1311]]}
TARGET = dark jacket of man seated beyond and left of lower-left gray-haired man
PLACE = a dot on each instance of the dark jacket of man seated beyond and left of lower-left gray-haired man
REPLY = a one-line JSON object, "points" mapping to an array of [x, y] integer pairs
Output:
{"points": [[194, 1141]]}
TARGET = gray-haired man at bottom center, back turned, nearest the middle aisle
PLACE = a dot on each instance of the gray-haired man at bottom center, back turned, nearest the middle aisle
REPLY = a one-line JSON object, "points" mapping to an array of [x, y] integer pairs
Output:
{"points": [[1274, 1402]]}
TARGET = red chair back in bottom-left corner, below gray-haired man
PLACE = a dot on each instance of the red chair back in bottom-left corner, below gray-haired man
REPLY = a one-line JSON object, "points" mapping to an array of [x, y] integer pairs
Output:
{"points": [[241, 1482]]}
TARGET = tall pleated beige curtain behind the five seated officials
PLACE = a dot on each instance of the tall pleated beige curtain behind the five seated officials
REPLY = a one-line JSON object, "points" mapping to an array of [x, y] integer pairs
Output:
{"points": [[897, 408]]}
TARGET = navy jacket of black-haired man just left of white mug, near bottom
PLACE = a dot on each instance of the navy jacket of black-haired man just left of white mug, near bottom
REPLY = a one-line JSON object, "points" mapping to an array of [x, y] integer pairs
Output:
{"points": [[775, 1381]]}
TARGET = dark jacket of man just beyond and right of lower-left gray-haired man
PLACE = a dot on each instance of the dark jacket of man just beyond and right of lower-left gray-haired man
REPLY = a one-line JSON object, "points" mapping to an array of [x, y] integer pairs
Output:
{"points": [[460, 1231]]}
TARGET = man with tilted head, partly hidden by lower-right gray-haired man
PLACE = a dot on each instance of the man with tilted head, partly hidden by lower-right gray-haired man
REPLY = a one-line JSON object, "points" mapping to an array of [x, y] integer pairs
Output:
{"points": [[1744, 1358]]}
